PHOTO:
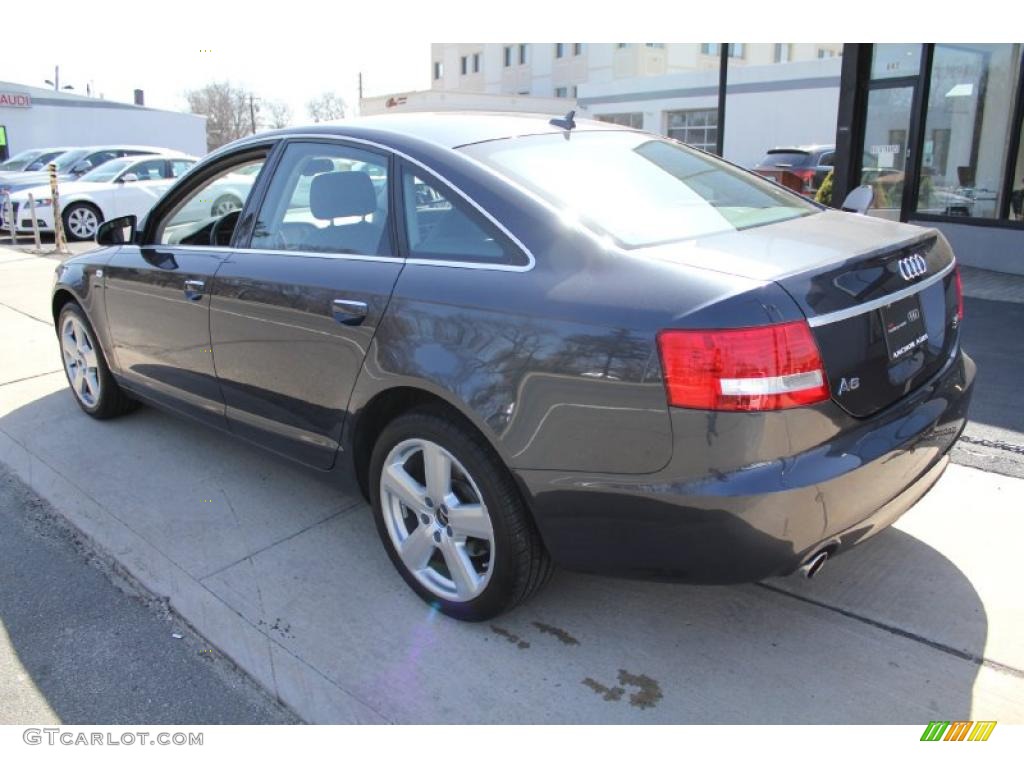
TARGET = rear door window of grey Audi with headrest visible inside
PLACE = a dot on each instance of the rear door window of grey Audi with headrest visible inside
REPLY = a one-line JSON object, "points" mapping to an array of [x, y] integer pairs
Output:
{"points": [[326, 199]]}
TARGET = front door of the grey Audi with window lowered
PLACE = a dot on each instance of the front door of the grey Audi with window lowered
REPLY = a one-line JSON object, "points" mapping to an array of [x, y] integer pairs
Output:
{"points": [[158, 304]]}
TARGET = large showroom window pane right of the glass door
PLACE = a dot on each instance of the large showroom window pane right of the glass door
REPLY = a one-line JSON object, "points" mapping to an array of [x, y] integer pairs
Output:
{"points": [[968, 127]]}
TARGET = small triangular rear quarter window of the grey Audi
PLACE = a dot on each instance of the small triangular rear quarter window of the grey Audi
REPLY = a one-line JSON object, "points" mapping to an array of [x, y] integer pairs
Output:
{"points": [[441, 226]]}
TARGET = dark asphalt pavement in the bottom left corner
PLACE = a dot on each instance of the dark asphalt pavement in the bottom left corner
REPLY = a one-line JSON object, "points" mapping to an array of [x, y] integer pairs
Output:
{"points": [[80, 645]]}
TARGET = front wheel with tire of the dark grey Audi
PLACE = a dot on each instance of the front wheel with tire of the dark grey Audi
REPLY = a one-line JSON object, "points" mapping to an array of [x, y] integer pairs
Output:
{"points": [[95, 389]]}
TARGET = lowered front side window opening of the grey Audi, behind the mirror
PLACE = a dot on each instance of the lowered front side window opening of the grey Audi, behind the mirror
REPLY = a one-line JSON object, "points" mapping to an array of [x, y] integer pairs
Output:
{"points": [[196, 217]]}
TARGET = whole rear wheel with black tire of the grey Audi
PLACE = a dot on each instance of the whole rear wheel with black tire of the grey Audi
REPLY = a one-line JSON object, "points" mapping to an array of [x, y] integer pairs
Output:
{"points": [[452, 519]]}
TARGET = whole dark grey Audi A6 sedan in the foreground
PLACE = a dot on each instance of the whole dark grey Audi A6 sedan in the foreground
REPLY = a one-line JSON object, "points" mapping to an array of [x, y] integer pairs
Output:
{"points": [[538, 343]]}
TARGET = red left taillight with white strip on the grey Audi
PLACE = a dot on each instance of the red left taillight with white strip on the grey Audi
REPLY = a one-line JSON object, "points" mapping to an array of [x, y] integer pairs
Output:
{"points": [[747, 369]]}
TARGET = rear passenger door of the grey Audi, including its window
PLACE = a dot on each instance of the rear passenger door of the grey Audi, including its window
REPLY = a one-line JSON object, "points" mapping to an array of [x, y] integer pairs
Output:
{"points": [[296, 305]]}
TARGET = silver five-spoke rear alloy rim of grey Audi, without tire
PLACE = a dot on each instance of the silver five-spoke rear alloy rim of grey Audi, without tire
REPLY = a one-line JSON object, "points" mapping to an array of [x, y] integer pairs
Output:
{"points": [[437, 520]]}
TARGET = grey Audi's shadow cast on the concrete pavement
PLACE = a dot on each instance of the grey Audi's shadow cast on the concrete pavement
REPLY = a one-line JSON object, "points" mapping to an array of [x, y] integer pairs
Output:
{"points": [[891, 632]]}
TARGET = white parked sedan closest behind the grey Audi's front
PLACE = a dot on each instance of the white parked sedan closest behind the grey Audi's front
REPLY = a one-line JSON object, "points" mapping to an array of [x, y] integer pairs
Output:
{"points": [[119, 188]]}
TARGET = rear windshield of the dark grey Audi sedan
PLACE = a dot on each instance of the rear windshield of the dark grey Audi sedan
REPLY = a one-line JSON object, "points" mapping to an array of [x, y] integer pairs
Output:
{"points": [[638, 189]]}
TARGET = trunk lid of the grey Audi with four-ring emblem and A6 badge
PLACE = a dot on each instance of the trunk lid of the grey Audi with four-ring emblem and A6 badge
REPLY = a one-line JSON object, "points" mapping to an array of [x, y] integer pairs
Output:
{"points": [[880, 296]]}
